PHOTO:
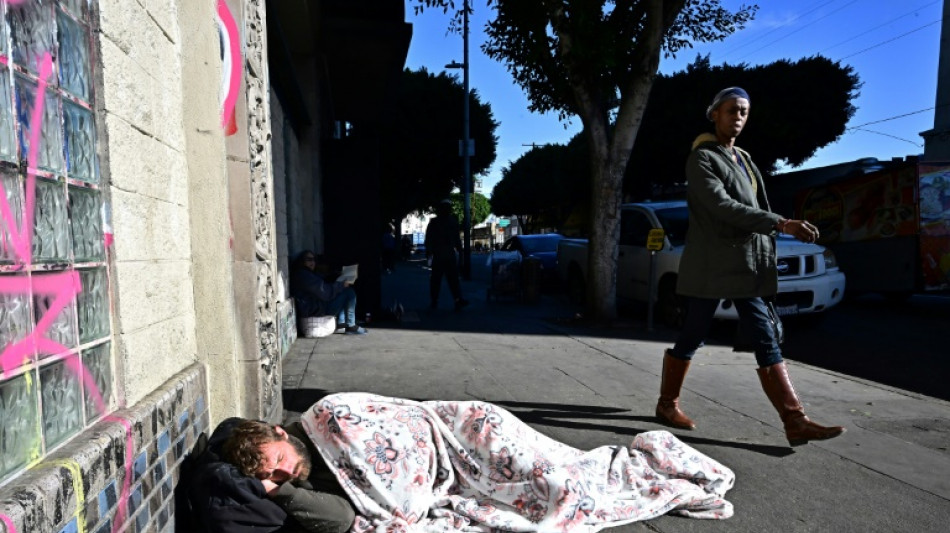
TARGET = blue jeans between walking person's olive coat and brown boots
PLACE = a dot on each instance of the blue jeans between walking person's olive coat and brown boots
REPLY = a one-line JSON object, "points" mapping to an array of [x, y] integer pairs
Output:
{"points": [[753, 317]]}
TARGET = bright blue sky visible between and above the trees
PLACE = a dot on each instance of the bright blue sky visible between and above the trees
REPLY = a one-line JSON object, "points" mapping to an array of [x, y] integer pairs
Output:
{"points": [[892, 45]]}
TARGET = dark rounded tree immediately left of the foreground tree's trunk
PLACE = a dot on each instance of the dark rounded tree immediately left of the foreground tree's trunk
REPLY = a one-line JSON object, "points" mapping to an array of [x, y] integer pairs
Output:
{"points": [[544, 186]]}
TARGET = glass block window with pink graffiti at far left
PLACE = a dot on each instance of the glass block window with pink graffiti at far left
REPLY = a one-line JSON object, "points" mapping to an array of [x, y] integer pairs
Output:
{"points": [[56, 366]]}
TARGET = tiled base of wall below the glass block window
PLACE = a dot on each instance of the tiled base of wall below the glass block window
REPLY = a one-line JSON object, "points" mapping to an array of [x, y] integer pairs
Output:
{"points": [[117, 476]]}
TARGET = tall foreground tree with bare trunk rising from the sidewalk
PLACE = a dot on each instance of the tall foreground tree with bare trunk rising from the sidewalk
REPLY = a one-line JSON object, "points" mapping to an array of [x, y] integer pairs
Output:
{"points": [[595, 59]]}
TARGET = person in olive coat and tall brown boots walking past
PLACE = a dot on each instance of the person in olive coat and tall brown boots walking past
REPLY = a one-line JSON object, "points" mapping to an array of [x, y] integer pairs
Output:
{"points": [[730, 254]]}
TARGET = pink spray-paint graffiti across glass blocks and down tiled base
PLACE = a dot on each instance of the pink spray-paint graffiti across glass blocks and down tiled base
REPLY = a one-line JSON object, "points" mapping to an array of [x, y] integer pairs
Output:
{"points": [[62, 287]]}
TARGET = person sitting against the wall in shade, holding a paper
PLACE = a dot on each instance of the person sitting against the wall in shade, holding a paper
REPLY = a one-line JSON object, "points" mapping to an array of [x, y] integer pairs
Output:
{"points": [[314, 296]]}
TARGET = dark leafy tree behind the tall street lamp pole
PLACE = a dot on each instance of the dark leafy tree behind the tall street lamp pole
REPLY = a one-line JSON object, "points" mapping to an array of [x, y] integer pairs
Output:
{"points": [[420, 155]]}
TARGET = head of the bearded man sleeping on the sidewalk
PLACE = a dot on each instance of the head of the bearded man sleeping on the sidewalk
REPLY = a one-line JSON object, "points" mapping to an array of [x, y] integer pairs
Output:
{"points": [[264, 451]]}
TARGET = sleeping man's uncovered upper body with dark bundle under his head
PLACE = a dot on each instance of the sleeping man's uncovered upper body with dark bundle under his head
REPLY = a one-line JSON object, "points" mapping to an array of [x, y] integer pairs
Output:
{"points": [[255, 477]]}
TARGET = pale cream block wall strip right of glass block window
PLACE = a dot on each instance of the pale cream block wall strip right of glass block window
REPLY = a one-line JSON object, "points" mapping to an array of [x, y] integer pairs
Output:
{"points": [[144, 160]]}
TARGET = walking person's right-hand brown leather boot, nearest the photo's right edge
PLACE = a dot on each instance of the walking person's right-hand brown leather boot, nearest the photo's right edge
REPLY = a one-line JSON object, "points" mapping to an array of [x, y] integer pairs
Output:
{"points": [[798, 428]]}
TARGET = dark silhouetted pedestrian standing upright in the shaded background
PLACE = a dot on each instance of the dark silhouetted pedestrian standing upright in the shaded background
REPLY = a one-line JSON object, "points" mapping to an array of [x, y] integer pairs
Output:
{"points": [[443, 245]]}
